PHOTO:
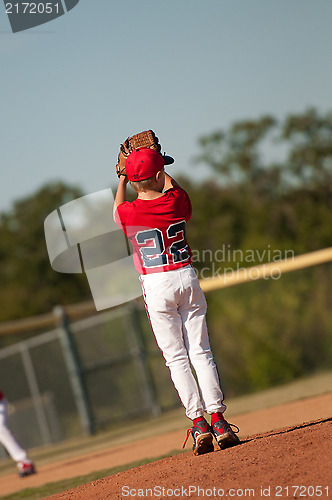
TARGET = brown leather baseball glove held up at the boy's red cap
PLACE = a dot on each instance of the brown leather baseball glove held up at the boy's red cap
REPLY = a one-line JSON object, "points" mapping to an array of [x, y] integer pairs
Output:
{"points": [[145, 139]]}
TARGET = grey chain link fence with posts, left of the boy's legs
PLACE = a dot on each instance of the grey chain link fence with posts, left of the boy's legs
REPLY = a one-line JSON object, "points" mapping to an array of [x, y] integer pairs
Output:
{"points": [[84, 376]]}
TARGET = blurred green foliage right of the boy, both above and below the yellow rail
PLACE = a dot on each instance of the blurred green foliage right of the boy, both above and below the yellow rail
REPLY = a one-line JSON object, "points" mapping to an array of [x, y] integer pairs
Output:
{"points": [[270, 331]]}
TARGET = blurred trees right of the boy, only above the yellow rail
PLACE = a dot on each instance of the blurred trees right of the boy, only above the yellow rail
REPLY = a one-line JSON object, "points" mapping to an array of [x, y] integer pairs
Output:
{"points": [[283, 202]]}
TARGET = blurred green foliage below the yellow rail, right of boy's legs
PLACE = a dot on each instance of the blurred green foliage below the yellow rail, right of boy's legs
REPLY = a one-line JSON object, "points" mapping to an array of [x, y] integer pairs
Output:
{"points": [[269, 332]]}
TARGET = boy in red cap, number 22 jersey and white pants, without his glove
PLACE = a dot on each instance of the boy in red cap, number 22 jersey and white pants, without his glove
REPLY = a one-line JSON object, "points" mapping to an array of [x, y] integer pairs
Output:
{"points": [[155, 225]]}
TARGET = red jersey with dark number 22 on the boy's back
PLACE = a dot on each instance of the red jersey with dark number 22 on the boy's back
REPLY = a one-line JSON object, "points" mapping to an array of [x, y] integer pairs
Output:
{"points": [[156, 230]]}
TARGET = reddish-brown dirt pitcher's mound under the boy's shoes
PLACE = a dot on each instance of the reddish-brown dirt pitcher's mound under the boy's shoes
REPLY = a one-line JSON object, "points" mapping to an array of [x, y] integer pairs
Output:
{"points": [[294, 462]]}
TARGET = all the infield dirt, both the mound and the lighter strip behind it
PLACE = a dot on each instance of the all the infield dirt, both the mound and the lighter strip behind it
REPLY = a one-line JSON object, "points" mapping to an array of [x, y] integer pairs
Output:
{"points": [[283, 446]]}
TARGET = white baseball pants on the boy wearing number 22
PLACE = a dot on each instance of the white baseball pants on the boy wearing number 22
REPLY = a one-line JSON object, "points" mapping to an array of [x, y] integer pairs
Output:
{"points": [[176, 307]]}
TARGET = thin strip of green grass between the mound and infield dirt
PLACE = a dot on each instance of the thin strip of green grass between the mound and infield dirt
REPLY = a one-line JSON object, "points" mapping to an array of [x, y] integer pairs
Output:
{"points": [[67, 484]]}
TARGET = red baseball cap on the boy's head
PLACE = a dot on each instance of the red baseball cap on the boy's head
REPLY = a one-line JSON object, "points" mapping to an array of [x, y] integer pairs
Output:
{"points": [[143, 163]]}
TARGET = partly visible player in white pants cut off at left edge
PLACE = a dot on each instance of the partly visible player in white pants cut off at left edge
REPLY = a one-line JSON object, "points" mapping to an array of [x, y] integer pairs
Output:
{"points": [[24, 464]]}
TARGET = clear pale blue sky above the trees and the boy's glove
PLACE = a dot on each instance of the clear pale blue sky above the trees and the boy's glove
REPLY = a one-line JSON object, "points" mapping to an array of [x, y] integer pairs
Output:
{"points": [[73, 89]]}
